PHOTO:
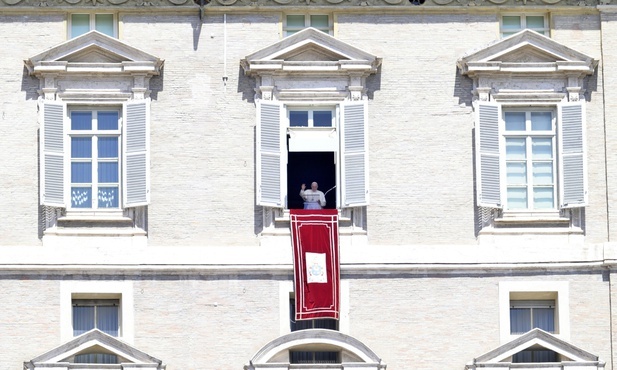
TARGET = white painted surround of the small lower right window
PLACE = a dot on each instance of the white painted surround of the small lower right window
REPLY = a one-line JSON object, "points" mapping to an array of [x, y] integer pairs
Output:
{"points": [[534, 290]]}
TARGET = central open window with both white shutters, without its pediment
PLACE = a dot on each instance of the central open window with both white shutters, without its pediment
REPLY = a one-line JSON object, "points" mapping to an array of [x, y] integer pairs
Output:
{"points": [[304, 144]]}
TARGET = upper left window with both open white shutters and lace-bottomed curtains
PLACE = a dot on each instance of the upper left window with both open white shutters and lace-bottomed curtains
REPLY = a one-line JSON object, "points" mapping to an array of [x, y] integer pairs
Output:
{"points": [[105, 163]]}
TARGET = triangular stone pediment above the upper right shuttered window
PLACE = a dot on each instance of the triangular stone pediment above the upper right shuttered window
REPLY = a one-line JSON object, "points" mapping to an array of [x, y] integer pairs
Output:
{"points": [[527, 52]]}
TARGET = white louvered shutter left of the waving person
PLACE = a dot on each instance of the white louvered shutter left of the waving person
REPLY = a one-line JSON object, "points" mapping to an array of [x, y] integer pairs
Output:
{"points": [[270, 159]]}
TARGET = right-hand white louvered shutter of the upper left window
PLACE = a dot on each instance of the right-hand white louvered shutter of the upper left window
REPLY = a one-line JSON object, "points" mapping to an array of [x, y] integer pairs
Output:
{"points": [[136, 153]]}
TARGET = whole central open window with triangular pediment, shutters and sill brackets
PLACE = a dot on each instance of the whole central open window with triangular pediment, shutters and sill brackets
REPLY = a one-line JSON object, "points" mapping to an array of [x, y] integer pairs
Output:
{"points": [[312, 119]]}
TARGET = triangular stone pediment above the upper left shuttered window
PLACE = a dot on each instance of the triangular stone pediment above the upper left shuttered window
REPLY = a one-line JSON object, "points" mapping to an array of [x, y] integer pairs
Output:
{"points": [[94, 50]]}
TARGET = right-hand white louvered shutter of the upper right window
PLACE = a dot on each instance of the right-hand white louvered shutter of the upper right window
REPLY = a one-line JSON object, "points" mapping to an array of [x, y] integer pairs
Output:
{"points": [[572, 169]]}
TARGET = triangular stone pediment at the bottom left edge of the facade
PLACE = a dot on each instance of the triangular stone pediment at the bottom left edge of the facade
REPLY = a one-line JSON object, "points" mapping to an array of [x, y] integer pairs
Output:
{"points": [[94, 342]]}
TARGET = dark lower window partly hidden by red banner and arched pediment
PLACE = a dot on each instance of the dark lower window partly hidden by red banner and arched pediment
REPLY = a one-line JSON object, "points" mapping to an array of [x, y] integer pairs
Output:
{"points": [[311, 357]]}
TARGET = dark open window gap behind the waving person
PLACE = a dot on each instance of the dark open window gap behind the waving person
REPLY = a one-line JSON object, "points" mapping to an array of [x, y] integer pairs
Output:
{"points": [[306, 167]]}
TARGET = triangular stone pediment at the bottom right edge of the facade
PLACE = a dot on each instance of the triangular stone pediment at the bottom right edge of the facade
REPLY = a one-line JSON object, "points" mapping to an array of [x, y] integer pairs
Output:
{"points": [[537, 339]]}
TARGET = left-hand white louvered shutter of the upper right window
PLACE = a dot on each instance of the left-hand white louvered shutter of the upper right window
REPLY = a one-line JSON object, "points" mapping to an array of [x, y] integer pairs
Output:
{"points": [[488, 186]]}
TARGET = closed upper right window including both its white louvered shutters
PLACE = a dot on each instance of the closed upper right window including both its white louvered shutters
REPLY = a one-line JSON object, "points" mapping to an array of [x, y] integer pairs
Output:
{"points": [[534, 157]]}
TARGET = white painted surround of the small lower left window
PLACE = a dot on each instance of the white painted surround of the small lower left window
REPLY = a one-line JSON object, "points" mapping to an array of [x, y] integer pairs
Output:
{"points": [[122, 288]]}
